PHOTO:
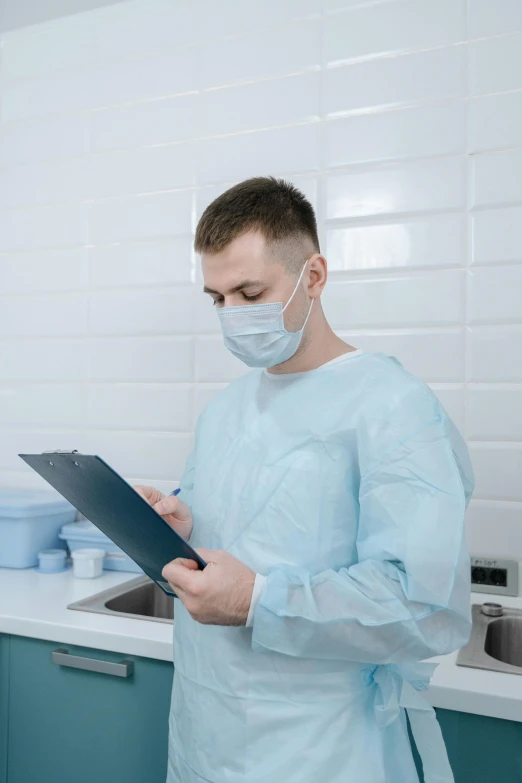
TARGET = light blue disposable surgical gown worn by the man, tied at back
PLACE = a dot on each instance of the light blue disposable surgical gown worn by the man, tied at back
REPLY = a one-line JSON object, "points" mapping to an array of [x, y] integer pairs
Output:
{"points": [[347, 487]]}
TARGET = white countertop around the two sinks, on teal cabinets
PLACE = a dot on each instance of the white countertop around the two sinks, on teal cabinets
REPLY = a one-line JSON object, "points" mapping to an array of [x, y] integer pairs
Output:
{"points": [[34, 605]]}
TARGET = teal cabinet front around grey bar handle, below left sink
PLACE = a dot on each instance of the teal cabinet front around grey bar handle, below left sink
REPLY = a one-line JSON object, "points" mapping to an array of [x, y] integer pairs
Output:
{"points": [[68, 724]]}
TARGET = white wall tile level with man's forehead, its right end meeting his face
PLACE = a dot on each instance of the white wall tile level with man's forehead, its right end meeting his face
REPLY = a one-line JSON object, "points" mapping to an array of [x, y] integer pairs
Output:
{"points": [[153, 262]]}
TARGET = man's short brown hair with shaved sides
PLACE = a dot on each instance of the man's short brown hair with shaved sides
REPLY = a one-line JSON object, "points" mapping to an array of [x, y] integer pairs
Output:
{"points": [[272, 206]]}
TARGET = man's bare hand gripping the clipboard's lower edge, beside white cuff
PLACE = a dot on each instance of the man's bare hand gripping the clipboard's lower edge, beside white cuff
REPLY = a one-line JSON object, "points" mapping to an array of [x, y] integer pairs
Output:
{"points": [[218, 595]]}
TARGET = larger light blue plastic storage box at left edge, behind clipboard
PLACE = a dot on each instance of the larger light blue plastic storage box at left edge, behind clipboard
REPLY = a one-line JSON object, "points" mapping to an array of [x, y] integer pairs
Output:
{"points": [[30, 520]]}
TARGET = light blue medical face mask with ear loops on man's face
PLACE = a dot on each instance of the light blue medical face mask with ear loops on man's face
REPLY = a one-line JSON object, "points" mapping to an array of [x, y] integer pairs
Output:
{"points": [[256, 334]]}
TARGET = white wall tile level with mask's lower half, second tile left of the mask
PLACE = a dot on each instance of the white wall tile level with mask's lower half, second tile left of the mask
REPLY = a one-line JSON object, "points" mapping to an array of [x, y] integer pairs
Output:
{"points": [[141, 359]]}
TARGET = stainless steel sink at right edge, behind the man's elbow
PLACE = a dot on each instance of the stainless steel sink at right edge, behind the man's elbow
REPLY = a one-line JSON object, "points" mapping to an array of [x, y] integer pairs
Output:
{"points": [[496, 639]]}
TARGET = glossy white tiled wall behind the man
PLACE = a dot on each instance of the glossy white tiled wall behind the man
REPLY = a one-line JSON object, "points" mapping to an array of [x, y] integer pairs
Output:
{"points": [[400, 120]]}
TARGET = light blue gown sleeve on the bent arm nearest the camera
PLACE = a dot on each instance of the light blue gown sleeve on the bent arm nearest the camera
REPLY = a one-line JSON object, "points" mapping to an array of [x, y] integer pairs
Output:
{"points": [[408, 595]]}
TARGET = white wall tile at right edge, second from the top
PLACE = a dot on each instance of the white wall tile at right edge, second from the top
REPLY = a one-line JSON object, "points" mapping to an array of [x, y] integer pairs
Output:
{"points": [[495, 64]]}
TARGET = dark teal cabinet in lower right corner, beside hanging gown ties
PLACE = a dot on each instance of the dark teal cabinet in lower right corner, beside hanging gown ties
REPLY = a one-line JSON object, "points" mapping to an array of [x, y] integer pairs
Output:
{"points": [[480, 749]]}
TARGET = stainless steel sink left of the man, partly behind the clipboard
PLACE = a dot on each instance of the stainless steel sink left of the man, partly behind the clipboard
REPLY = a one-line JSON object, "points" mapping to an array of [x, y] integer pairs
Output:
{"points": [[140, 598]]}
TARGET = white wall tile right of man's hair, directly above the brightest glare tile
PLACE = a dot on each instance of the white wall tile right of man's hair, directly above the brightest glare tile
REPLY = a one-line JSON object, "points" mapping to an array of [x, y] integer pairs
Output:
{"points": [[410, 187]]}
